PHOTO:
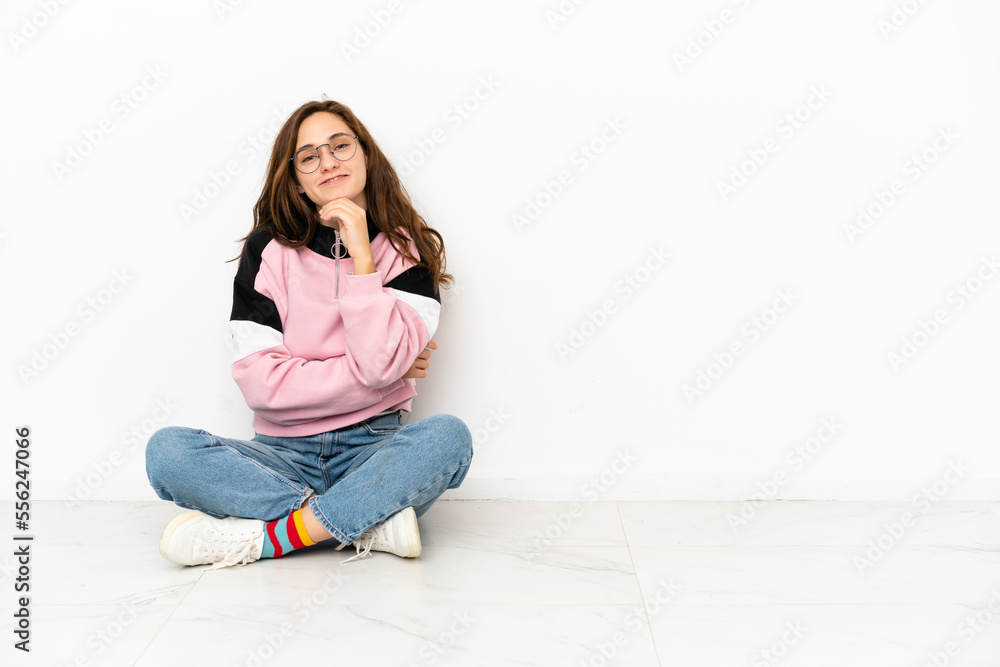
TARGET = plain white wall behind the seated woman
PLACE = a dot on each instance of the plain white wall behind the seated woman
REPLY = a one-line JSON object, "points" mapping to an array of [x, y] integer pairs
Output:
{"points": [[545, 424]]}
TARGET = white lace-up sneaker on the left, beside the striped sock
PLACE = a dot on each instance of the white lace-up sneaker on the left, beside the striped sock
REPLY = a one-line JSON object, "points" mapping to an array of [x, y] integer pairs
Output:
{"points": [[194, 538]]}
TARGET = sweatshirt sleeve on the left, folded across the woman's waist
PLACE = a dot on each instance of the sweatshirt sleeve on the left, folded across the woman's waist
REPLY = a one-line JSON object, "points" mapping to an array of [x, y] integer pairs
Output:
{"points": [[281, 388]]}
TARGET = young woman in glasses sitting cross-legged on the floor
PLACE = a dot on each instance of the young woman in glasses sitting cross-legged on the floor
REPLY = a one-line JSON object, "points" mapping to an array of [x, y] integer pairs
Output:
{"points": [[335, 302]]}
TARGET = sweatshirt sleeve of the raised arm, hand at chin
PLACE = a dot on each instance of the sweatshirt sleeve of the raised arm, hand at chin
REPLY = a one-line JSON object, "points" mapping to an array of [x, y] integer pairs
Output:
{"points": [[387, 326]]}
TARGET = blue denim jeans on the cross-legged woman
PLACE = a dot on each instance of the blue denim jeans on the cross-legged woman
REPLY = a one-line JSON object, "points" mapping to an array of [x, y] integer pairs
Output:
{"points": [[362, 474]]}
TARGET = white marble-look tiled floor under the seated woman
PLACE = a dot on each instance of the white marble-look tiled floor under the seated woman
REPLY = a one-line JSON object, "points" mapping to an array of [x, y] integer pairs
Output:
{"points": [[532, 583]]}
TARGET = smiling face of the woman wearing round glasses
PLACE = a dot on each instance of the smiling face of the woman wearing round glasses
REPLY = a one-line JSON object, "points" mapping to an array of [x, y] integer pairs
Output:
{"points": [[317, 130]]}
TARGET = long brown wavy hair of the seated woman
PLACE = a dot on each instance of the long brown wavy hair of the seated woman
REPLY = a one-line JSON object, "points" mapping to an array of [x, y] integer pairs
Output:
{"points": [[294, 218]]}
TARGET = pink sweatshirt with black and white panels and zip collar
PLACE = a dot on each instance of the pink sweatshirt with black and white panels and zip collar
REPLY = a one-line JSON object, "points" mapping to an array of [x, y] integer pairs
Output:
{"points": [[315, 347]]}
